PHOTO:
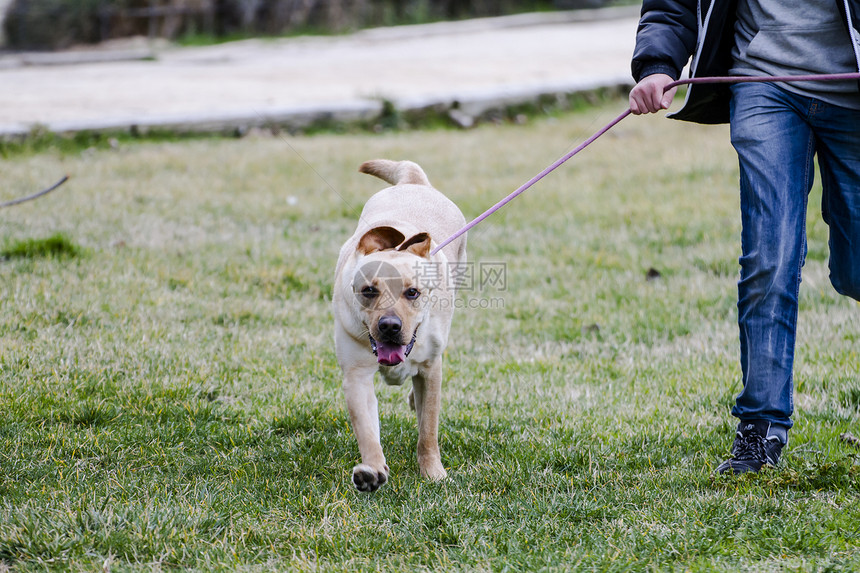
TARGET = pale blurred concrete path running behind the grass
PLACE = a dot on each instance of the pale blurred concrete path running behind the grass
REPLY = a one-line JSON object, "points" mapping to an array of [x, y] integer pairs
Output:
{"points": [[476, 63]]}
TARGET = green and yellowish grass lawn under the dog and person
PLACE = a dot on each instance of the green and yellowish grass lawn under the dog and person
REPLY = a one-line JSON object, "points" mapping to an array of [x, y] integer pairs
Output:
{"points": [[171, 399]]}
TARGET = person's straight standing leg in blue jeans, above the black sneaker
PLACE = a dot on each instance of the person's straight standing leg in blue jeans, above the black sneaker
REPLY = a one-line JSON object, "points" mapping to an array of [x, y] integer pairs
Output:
{"points": [[775, 147]]}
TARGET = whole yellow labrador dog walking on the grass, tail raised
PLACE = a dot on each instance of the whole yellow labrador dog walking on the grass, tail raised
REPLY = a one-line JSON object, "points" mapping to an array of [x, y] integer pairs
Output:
{"points": [[393, 305]]}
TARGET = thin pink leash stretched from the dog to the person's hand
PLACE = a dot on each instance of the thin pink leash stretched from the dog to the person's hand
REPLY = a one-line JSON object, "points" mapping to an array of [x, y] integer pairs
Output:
{"points": [[611, 124]]}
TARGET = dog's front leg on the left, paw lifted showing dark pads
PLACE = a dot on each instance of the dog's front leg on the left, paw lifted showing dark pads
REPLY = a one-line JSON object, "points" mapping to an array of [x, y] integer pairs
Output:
{"points": [[361, 402]]}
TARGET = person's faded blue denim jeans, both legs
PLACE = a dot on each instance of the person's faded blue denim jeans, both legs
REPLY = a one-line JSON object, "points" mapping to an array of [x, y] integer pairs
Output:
{"points": [[776, 134]]}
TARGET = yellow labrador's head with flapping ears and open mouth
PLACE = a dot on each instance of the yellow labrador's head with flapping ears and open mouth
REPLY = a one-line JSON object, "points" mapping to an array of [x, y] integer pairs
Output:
{"points": [[391, 286]]}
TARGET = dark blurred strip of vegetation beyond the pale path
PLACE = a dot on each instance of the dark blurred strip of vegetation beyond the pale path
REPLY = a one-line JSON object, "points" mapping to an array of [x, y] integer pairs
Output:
{"points": [[59, 24]]}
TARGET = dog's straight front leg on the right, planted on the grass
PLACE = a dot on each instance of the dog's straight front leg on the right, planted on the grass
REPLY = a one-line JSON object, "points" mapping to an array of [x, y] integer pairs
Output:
{"points": [[427, 395]]}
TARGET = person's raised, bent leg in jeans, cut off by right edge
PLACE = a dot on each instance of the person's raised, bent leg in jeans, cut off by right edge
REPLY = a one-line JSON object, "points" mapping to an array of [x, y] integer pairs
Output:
{"points": [[837, 133]]}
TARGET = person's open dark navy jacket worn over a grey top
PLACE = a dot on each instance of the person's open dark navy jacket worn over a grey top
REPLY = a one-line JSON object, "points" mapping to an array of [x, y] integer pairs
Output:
{"points": [[669, 34]]}
